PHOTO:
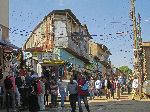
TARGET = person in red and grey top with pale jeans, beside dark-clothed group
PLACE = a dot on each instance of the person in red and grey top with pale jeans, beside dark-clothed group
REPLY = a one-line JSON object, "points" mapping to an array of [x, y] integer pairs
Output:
{"points": [[41, 92]]}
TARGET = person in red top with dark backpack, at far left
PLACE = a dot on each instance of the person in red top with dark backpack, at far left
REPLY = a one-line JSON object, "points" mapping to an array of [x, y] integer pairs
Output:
{"points": [[10, 88]]}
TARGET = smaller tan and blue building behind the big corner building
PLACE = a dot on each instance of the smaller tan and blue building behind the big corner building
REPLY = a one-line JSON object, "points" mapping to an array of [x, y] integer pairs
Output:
{"points": [[99, 54]]}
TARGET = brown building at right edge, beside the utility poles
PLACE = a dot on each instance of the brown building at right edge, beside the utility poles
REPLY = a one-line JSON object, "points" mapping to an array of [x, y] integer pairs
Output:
{"points": [[146, 64]]}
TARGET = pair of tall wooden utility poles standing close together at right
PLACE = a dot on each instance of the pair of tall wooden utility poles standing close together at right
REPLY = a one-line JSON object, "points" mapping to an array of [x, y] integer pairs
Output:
{"points": [[137, 49]]}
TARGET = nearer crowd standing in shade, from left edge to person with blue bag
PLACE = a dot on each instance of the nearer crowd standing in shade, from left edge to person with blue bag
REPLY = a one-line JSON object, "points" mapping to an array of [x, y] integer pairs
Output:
{"points": [[32, 92]]}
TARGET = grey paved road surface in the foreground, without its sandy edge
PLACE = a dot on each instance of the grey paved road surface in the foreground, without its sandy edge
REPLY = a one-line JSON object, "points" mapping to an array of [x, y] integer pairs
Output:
{"points": [[114, 106]]}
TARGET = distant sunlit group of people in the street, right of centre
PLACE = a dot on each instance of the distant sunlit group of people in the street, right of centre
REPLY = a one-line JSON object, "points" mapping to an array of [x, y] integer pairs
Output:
{"points": [[104, 86]]}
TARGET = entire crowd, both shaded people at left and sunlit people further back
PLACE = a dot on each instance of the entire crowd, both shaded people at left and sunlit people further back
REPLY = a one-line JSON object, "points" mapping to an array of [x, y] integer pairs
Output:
{"points": [[29, 91]]}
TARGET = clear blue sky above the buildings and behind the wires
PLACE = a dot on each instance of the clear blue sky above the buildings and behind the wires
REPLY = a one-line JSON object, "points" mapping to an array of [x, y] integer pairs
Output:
{"points": [[105, 19]]}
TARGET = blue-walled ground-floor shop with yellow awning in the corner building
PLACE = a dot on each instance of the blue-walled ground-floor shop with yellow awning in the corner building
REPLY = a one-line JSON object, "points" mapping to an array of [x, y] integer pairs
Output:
{"points": [[58, 63]]}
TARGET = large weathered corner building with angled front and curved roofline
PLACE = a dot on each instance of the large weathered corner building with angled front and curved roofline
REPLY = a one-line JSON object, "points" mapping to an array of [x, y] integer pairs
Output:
{"points": [[59, 38]]}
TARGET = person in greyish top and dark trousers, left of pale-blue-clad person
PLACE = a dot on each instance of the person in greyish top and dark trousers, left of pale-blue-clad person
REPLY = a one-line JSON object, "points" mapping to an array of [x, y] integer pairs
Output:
{"points": [[54, 93]]}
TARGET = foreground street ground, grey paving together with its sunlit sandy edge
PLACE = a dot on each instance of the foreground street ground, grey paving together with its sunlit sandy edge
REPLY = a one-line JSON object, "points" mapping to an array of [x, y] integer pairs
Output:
{"points": [[125, 104]]}
